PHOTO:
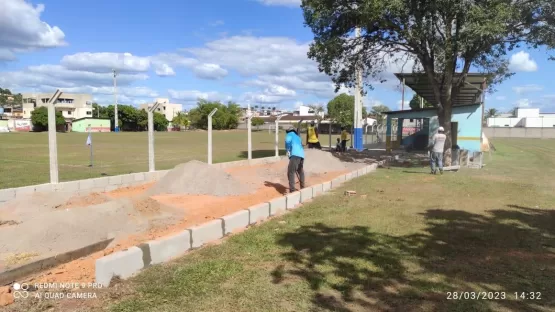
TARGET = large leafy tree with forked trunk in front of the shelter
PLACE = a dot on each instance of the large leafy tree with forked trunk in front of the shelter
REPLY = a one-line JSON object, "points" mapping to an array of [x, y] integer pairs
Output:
{"points": [[442, 37]]}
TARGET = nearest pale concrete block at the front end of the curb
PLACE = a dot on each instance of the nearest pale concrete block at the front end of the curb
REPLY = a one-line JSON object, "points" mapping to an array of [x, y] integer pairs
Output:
{"points": [[123, 264]]}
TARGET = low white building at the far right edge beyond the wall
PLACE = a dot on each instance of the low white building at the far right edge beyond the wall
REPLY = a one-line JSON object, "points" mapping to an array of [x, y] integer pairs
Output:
{"points": [[526, 118]]}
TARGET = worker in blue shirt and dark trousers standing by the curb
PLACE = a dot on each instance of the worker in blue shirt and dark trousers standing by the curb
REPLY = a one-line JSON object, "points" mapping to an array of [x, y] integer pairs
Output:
{"points": [[295, 152]]}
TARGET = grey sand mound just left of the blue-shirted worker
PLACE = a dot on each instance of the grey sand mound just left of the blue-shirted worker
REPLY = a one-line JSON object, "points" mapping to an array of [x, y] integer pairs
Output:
{"points": [[198, 178]]}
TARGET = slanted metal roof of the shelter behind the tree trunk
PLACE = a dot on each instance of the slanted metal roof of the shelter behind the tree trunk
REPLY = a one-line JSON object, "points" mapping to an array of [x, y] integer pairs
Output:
{"points": [[470, 92]]}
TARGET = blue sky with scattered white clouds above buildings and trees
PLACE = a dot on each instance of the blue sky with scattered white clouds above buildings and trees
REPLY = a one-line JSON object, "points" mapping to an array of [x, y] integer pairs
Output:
{"points": [[246, 51]]}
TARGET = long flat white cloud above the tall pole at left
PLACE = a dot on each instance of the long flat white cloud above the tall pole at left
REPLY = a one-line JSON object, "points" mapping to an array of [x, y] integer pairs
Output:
{"points": [[106, 61]]}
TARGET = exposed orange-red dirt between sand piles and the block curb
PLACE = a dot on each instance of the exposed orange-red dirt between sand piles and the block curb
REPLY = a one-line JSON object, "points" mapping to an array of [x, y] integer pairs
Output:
{"points": [[199, 209]]}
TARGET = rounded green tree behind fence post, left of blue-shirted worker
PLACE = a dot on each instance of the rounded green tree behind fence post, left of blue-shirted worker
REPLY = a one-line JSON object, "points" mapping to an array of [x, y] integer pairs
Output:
{"points": [[227, 116]]}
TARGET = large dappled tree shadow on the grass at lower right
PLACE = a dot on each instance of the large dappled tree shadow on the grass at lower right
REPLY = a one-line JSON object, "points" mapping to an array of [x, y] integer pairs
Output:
{"points": [[354, 269]]}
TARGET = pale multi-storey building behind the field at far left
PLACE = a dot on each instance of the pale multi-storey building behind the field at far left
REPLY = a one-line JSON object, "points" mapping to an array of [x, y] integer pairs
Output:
{"points": [[72, 105]]}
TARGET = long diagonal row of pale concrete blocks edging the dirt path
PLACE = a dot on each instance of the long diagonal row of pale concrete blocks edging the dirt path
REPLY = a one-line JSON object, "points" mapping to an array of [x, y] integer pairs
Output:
{"points": [[211, 231]]}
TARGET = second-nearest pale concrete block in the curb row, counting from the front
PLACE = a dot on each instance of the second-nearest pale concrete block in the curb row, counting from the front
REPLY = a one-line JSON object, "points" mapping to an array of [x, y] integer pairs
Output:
{"points": [[167, 248]]}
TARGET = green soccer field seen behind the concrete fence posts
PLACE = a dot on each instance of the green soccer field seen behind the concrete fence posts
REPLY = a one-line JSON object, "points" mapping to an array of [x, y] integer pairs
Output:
{"points": [[24, 156]]}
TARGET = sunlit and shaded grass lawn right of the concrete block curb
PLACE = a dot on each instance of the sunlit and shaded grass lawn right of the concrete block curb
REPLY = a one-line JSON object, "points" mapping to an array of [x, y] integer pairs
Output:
{"points": [[406, 242]]}
